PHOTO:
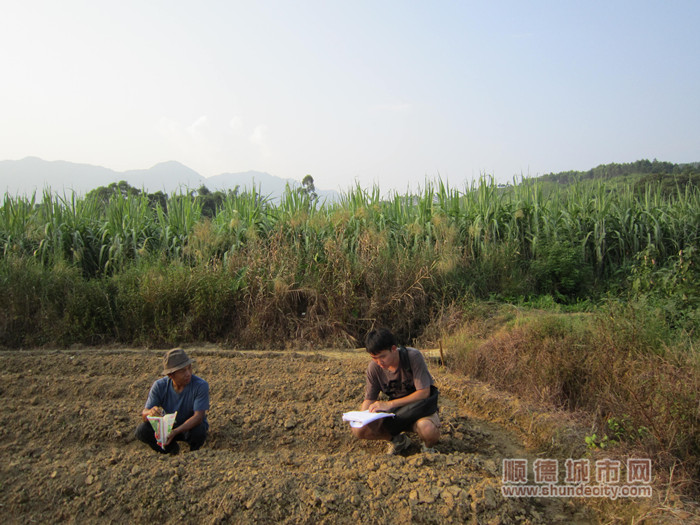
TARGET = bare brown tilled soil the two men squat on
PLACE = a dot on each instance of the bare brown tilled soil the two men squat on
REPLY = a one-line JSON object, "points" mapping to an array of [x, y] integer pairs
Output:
{"points": [[278, 450]]}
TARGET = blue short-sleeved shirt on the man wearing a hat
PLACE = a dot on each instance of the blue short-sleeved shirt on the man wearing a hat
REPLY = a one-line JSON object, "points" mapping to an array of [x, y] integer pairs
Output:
{"points": [[194, 397]]}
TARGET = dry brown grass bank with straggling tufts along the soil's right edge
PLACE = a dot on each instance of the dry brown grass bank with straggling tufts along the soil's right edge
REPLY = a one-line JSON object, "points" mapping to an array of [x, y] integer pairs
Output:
{"points": [[637, 401]]}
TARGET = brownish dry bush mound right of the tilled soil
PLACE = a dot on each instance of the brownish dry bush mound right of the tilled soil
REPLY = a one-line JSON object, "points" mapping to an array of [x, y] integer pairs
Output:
{"points": [[617, 365]]}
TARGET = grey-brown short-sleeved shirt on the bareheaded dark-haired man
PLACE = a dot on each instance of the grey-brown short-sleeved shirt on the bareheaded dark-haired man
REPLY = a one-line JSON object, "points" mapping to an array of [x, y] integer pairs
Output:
{"points": [[379, 379]]}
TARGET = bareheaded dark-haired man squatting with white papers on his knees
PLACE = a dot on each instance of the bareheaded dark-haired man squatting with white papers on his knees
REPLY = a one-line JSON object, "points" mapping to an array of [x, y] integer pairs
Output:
{"points": [[401, 374]]}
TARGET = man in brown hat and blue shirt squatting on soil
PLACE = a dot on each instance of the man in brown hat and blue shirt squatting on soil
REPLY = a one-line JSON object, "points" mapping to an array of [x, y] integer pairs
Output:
{"points": [[182, 392]]}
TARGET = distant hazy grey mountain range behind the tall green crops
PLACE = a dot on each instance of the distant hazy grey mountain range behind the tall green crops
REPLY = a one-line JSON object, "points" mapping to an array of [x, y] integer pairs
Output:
{"points": [[34, 175]]}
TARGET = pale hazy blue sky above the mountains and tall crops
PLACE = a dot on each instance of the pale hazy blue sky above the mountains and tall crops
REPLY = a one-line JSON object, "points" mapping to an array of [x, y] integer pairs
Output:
{"points": [[369, 92]]}
